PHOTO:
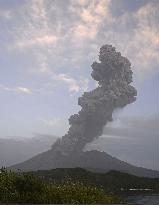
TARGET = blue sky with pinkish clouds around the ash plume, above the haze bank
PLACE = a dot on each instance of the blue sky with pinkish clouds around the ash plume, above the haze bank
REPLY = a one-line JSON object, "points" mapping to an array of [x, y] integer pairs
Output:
{"points": [[47, 48]]}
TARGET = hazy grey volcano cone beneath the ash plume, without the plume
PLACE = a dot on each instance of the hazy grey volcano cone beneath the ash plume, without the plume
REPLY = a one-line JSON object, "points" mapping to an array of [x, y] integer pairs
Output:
{"points": [[91, 160]]}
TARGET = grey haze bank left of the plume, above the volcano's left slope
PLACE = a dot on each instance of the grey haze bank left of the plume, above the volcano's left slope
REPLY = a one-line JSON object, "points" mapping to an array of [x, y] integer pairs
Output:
{"points": [[18, 149]]}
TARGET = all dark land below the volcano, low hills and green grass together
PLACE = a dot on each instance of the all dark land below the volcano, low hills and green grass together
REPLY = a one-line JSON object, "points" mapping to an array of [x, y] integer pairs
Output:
{"points": [[72, 185]]}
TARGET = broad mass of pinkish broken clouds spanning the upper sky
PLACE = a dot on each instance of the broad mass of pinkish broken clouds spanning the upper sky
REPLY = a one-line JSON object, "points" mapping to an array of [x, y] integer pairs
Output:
{"points": [[68, 40]]}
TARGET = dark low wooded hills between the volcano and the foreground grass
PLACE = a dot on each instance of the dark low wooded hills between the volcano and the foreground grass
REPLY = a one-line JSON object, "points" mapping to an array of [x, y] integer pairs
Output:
{"points": [[112, 182]]}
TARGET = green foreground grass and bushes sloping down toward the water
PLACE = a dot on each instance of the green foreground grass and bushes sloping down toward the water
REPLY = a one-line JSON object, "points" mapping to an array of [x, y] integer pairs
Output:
{"points": [[26, 188]]}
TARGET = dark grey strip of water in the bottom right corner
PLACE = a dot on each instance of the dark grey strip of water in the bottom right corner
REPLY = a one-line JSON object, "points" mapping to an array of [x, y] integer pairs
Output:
{"points": [[144, 200]]}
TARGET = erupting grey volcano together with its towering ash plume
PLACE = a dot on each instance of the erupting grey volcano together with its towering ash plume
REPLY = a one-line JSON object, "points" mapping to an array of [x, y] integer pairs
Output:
{"points": [[114, 76]]}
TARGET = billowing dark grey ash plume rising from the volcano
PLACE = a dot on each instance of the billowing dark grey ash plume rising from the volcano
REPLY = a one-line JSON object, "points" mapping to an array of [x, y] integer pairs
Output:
{"points": [[114, 75]]}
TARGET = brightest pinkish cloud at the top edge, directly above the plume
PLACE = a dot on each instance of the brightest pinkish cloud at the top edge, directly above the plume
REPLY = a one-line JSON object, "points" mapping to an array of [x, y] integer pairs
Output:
{"points": [[91, 14]]}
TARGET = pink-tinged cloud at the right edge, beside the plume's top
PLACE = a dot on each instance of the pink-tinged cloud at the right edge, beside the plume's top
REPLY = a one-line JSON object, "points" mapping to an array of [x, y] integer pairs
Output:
{"points": [[145, 43]]}
